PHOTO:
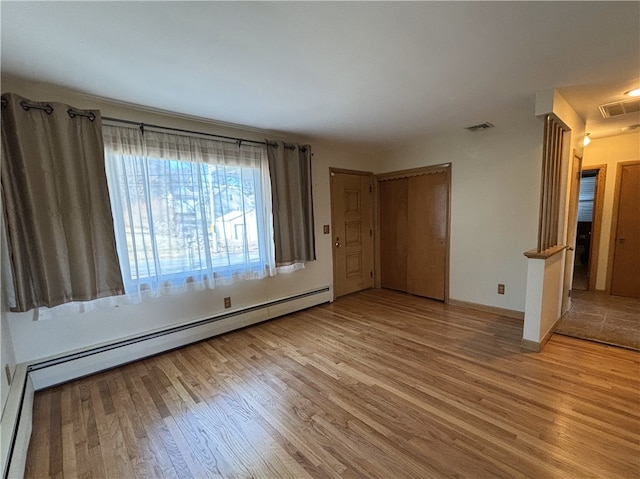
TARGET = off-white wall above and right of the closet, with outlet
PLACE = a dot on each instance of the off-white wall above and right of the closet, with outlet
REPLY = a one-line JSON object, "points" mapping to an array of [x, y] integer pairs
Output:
{"points": [[494, 203]]}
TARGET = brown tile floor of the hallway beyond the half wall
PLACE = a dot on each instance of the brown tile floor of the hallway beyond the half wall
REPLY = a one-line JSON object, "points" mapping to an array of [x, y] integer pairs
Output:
{"points": [[601, 317]]}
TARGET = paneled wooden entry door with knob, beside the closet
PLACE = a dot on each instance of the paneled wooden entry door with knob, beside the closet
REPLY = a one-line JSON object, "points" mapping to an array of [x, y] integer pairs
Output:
{"points": [[352, 224]]}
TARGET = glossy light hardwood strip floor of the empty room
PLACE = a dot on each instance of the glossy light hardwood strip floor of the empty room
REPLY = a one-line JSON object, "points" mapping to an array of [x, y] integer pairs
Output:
{"points": [[378, 384]]}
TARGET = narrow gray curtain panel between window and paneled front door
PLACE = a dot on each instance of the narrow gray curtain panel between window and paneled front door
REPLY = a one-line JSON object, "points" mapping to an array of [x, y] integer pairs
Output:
{"points": [[290, 171]]}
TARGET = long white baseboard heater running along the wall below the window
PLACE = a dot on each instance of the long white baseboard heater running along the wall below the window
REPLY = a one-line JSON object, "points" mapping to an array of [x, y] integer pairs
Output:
{"points": [[29, 377]]}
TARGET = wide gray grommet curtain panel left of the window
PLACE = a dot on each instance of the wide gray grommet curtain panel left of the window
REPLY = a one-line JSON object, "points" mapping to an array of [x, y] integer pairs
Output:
{"points": [[56, 204]]}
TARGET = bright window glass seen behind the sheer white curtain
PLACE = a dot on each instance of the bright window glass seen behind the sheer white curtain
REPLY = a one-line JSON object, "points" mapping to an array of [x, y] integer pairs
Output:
{"points": [[181, 218]]}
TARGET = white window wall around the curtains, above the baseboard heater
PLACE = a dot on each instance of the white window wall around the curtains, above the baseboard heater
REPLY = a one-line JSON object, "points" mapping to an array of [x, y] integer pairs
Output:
{"points": [[33, 340]]}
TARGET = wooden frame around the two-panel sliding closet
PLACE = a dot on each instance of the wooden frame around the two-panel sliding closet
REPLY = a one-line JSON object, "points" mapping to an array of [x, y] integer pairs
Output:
{"points": [[446, 167]]}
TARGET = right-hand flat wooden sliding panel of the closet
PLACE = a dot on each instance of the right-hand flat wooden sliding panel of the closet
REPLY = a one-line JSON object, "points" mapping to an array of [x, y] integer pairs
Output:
{"points": [[427, 235]]}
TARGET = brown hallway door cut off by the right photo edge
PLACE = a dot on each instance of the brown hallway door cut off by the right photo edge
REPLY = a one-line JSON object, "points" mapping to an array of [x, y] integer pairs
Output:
{"points": [[625, 276]]}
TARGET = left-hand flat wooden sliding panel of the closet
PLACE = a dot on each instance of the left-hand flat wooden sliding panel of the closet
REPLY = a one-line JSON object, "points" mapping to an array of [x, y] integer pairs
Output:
{"points": [[393, 233]]}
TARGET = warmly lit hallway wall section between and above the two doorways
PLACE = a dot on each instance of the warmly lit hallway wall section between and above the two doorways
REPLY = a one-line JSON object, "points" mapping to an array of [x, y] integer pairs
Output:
{"points": [[609, 151]]}
